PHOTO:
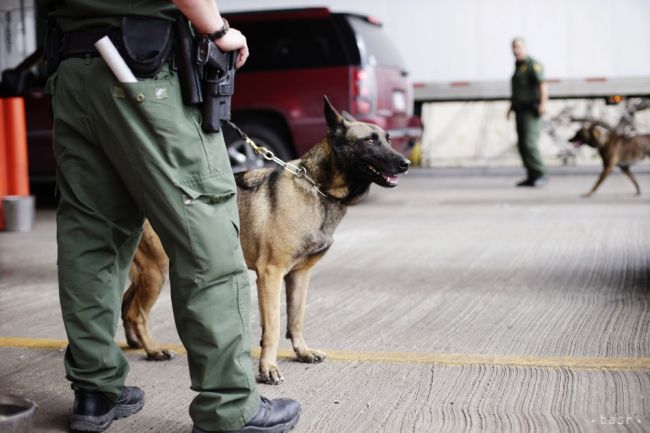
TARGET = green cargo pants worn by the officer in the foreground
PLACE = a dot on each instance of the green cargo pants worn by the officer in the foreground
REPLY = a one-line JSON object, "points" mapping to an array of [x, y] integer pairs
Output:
{"points": [[129, 151]]}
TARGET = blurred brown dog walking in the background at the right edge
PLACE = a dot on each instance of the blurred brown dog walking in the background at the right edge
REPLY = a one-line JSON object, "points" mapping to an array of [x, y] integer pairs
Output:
{"points": [[614, 149]]}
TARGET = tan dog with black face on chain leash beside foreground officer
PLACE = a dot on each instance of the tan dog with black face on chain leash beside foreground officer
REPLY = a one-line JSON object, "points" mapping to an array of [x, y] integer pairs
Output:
{"points": [[286, 228]]}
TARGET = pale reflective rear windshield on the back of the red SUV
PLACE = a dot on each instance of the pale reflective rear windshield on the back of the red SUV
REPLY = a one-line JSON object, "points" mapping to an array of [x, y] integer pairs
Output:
{"points": [[379, 49]]}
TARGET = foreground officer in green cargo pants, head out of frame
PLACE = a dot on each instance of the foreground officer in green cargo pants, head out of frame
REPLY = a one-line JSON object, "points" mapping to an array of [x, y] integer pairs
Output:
{"points": [[129, 151]]}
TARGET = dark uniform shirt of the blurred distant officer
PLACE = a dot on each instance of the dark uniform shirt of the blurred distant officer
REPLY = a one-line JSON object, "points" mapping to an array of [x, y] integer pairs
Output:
{"points": [[529, 74]]}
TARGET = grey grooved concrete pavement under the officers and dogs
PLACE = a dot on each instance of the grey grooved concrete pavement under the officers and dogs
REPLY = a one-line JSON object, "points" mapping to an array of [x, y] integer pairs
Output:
{"points": [[450, 304]]}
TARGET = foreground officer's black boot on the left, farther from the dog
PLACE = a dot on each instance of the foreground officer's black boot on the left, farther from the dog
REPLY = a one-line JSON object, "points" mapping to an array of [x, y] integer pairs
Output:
{"points": [[93, 411]]}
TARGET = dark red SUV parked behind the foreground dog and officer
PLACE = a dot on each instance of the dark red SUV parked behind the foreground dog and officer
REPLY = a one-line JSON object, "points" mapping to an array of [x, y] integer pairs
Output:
{"points": [[299, 55]]}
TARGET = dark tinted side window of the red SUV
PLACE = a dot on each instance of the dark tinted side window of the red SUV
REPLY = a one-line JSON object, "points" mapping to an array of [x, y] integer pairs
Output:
{"points": [[291, 44]]}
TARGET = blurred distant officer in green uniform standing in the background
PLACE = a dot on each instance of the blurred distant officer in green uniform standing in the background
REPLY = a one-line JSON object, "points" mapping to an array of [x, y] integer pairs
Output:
{"points": [[529, 97]]}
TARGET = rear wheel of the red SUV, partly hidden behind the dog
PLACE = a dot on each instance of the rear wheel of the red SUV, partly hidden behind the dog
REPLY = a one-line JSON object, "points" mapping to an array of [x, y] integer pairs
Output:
{"points": [[243, 157]]}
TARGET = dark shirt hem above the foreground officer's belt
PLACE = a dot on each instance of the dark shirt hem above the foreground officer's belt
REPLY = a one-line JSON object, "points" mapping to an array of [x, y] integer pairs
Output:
{"points": [[82, 14]]}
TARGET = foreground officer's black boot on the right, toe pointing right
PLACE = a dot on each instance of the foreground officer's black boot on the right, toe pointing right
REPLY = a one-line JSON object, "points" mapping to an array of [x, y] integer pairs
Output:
{"points": [[273, 416]]}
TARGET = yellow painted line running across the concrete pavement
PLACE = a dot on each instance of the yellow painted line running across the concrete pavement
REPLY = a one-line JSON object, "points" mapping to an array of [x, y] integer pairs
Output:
{"points": [[580, 363]]}
